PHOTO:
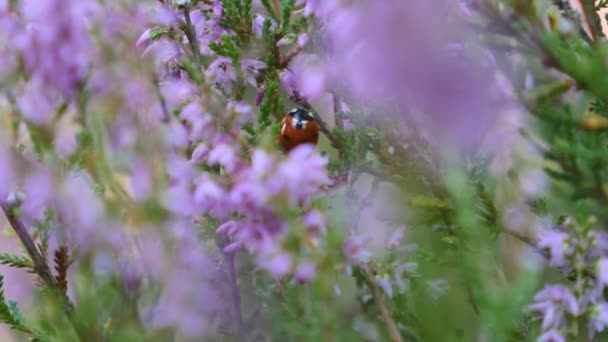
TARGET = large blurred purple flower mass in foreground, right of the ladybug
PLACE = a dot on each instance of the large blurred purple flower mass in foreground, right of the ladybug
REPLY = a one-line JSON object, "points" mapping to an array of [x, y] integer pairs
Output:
{"points": [[376, 54]]}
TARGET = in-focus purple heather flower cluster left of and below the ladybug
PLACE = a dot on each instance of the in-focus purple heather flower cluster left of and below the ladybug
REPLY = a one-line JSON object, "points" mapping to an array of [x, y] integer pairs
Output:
{"points": [[249, 190]]}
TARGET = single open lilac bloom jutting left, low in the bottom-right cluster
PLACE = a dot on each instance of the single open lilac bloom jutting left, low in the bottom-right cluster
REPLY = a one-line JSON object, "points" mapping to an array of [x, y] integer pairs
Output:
{"points": [[552, 302]]}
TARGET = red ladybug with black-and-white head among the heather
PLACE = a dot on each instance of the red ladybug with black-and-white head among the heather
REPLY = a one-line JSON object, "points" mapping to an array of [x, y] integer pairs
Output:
{"points": [[298, 127]]}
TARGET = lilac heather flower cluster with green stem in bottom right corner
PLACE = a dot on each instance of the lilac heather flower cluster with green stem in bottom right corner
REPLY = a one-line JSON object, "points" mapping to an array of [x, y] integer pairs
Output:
{"points": [[582, 254]]}
